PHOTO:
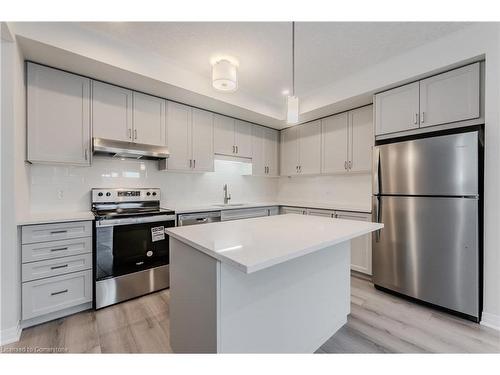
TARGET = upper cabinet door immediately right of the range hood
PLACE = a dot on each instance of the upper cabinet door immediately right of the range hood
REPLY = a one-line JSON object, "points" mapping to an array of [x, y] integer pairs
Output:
{"points": [[179, 136]]}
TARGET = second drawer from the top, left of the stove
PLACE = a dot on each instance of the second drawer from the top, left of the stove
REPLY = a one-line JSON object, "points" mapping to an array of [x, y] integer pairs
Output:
{"points": [[56, 249]]}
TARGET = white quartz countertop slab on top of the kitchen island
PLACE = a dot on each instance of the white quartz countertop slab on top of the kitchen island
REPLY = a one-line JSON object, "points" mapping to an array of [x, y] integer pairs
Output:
{"points": [[258, 243]]}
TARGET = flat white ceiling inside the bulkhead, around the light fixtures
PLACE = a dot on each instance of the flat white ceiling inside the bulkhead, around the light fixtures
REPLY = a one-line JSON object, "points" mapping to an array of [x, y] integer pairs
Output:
{"points": [[325, 51]]}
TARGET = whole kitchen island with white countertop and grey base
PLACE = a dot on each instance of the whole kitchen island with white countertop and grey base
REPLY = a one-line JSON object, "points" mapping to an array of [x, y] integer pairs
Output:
{"points": [[276, 284]]}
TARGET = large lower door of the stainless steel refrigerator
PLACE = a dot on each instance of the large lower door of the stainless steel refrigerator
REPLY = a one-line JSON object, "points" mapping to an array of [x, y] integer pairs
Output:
{"points": [[428, 249]]}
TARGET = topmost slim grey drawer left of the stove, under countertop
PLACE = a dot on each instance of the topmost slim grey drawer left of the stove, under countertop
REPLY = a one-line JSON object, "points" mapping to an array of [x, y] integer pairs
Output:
{"points": [[58, 231]]}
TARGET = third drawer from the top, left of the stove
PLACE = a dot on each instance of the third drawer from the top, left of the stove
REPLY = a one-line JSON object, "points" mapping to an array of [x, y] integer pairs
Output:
{"points": [[56, 267]]}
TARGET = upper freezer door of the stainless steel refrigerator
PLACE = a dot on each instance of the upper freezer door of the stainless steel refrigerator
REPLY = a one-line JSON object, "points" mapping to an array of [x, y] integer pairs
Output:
{"points": [[443, 165]]}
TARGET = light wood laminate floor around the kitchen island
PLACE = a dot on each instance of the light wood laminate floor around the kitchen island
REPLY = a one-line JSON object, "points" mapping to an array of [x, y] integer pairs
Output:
{"points": [[379, 323]]}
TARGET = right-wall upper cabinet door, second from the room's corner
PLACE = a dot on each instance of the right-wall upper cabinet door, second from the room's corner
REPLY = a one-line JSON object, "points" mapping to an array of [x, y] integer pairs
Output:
{"points": [[310, 148]]}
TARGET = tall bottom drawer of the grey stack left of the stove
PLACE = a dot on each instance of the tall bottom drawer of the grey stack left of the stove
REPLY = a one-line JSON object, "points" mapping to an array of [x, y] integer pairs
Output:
{"points": [[44, 296]]}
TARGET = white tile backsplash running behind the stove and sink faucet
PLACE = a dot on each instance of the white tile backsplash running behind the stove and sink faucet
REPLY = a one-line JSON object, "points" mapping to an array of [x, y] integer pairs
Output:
{"points": [[65, 188]]}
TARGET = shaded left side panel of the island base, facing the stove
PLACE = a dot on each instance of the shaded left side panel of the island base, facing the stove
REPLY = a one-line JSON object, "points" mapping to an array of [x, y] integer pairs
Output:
{"points": [[194, 279]]}
